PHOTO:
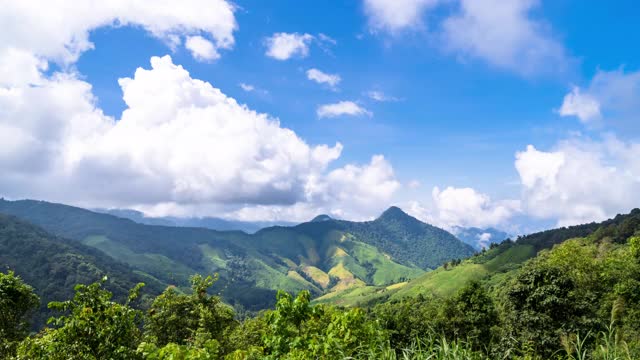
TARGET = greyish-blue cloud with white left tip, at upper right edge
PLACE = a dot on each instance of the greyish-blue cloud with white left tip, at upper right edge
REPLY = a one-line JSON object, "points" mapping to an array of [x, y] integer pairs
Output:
{"points": [[614, 94]]}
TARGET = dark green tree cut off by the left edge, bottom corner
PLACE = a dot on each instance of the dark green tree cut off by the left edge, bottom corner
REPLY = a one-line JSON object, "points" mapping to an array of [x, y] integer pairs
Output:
{"points": [[17, 300]]}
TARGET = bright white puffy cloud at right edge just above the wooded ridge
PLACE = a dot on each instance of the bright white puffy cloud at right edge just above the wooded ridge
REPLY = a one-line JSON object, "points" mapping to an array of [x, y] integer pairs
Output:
{"points": [[580, 180]]}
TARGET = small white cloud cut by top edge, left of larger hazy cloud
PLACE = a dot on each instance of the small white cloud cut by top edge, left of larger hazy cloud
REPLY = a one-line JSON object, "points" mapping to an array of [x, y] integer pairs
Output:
{"points": [[396, 15]]}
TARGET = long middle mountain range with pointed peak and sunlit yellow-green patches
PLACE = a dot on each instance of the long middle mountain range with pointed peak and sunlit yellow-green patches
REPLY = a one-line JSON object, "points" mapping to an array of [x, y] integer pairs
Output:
{"points": [[322, 256]]}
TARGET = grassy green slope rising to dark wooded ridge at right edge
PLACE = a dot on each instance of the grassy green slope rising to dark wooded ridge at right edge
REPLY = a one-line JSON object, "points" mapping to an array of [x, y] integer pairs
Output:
{"points": [[490, 266]]}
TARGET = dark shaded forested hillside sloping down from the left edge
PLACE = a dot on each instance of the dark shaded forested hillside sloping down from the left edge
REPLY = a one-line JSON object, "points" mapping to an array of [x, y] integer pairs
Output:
{"points": [[53, 265]]}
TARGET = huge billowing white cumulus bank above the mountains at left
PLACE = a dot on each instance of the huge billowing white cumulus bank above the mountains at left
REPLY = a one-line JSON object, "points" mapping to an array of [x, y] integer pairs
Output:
{"points": [[180, 144]]}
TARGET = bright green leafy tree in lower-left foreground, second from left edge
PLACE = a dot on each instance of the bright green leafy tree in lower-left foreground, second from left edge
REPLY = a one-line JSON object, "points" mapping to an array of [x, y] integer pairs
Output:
{"points": [[95, 328]]}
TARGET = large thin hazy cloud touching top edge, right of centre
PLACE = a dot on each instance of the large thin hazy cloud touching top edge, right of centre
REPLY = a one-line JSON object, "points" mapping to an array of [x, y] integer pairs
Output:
{"points": [[504, 34]]}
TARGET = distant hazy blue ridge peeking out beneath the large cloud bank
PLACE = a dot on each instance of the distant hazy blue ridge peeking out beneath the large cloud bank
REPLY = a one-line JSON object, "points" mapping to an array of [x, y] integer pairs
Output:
{"points": [[212, 223]]}
